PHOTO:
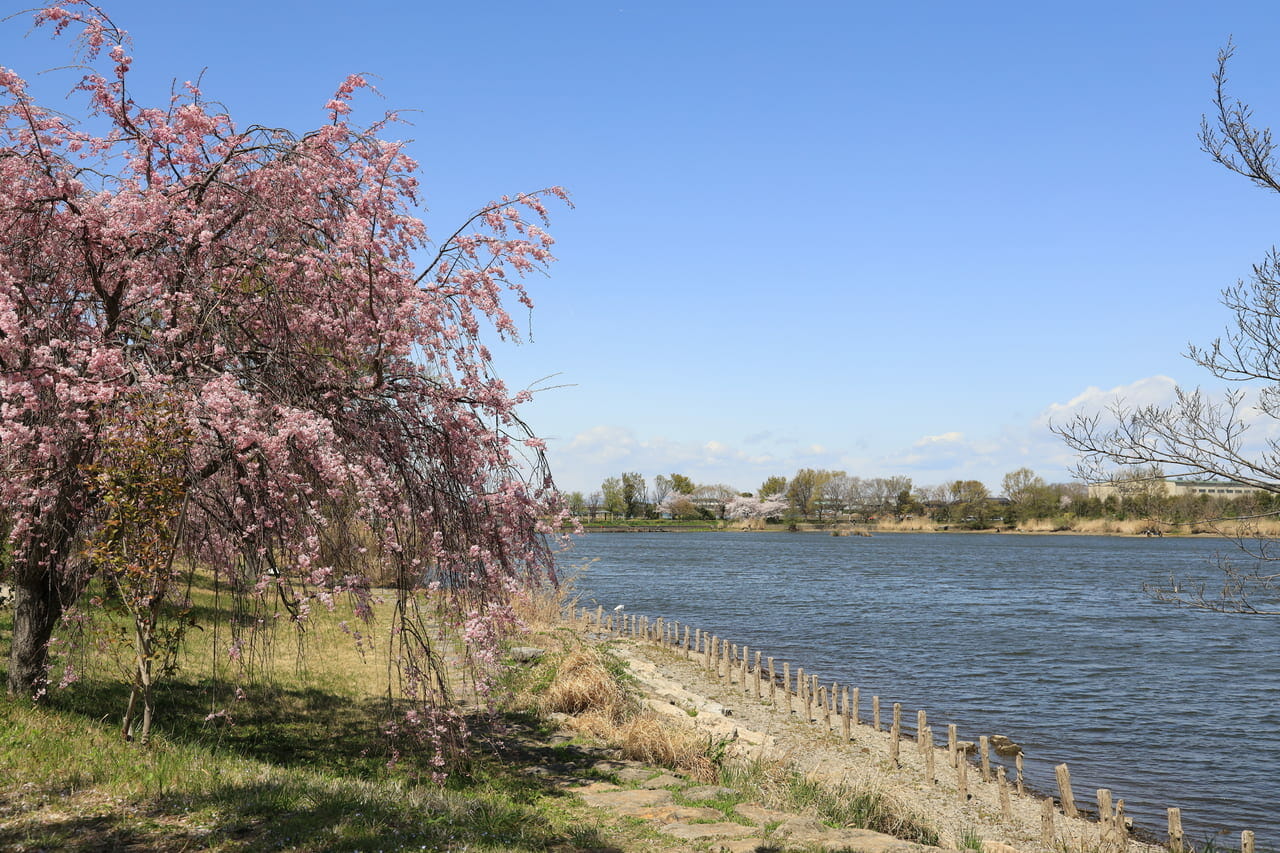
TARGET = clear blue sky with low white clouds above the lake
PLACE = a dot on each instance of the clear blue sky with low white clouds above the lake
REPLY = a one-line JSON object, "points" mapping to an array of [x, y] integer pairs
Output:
{"points": [[888, 239]]}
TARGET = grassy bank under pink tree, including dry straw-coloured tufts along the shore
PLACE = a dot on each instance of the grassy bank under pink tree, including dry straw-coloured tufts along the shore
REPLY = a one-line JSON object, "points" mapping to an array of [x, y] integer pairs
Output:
{"points": [[299, 759]]}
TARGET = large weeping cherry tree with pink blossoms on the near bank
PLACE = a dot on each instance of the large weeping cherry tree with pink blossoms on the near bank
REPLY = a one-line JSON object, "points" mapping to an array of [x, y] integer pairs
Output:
{"points": [[321, 357]]}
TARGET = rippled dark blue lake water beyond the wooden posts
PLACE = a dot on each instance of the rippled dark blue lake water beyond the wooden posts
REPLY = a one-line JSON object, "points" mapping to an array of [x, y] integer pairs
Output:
{"points": [[1046, 640]]}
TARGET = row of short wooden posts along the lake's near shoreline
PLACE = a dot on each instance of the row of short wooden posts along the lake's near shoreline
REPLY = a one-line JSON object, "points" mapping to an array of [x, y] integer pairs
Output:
{"points": [[836, 705]]}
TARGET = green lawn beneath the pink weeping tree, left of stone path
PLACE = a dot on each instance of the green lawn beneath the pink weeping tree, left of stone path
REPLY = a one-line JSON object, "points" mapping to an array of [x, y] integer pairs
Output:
{"points": [[301, 764]]}
